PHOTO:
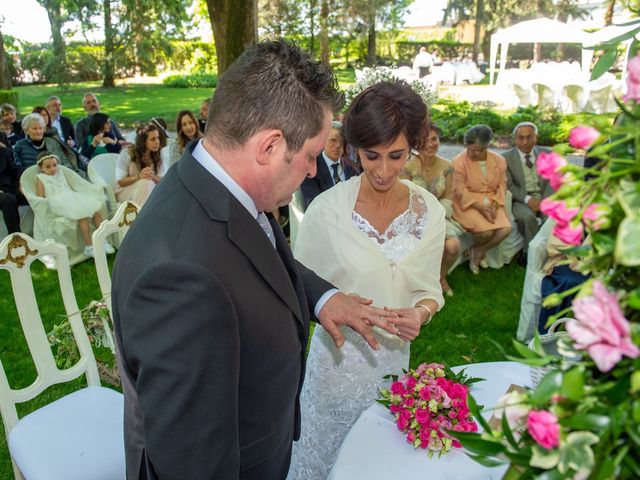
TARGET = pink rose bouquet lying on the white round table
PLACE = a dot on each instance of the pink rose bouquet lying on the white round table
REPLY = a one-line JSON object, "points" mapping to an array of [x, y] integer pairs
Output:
{"points": [[427, 403]]}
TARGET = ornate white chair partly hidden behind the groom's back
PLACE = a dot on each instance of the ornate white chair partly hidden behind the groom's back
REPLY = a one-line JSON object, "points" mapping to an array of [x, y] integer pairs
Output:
{"points": [[118, 225]]}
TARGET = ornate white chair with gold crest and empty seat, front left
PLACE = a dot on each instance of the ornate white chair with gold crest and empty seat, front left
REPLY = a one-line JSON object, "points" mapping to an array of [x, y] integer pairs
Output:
{"points": [[79, 436]]}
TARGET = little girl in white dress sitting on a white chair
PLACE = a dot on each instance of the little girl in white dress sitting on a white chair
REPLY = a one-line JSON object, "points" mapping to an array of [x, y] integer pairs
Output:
{"points": [[66, 202]]}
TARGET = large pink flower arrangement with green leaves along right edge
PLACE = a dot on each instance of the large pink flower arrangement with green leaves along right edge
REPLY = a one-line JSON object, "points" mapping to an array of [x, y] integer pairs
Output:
{"points": [[583, 419]]}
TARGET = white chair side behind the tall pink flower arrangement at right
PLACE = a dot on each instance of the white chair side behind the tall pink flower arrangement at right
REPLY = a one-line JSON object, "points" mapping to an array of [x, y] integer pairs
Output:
{"points": [[531, 302]]}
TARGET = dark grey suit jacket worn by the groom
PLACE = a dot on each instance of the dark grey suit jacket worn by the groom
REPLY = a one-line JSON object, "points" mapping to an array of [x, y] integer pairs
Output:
{"points": [[211, 327]]}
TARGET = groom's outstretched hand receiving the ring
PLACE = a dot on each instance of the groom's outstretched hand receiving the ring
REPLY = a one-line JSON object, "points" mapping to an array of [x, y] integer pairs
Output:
{"points": [[356, 313]]}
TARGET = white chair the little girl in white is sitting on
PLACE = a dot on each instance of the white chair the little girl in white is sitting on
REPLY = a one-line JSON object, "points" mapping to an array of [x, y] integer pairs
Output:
{"points": [[49, 225]]}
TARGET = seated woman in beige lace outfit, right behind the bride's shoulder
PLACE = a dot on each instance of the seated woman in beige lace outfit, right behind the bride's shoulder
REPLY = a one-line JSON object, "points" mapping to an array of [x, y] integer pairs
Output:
{"points": [[427, 169]]}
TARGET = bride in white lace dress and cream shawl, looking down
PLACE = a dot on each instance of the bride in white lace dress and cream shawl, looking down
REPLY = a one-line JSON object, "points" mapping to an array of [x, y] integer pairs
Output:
{"points": [[383, 238]]}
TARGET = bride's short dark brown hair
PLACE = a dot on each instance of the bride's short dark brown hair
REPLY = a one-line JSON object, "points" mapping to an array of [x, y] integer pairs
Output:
{"points": [[384, 111]]}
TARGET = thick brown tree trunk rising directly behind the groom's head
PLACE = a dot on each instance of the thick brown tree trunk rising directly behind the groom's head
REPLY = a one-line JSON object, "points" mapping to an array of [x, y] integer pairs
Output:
{"points": [[235, 26]]}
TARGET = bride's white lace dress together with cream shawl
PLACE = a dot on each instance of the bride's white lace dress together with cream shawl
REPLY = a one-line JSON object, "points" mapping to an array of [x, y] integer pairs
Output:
{"points": [[396, 268]]}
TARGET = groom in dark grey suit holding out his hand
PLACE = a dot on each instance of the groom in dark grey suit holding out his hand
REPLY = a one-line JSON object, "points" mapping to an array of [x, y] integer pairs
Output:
{"points": [[211, 311]]}
